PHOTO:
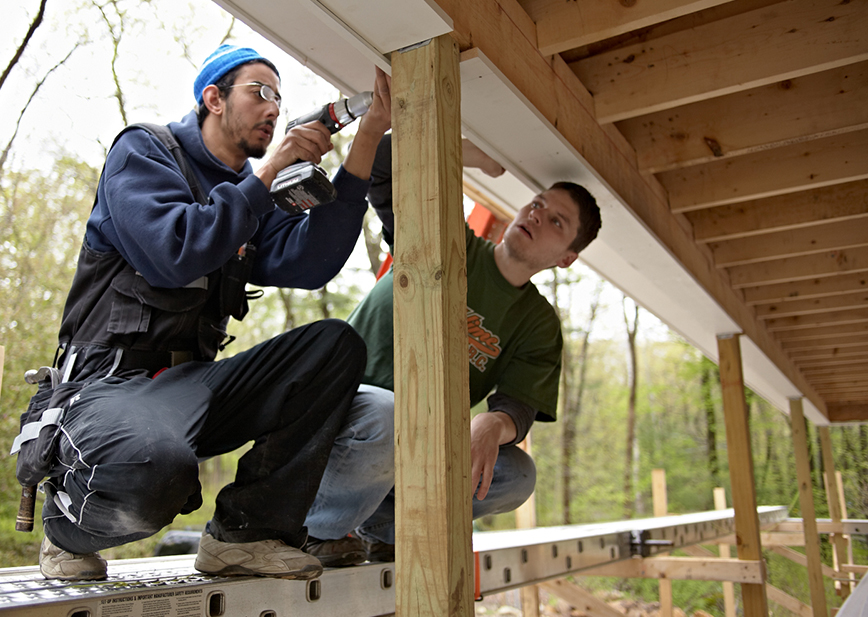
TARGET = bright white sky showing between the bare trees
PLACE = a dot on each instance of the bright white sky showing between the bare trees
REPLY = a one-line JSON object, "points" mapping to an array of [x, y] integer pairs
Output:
{"points": [[75, 108]]}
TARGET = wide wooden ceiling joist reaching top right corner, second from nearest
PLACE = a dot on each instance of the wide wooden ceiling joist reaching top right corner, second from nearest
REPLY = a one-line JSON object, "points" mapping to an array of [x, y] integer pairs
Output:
{"points": [[720, 58]]}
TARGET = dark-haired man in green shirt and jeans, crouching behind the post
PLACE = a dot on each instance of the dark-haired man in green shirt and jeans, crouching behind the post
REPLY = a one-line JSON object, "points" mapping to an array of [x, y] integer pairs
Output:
{"points": [[514, 346]]}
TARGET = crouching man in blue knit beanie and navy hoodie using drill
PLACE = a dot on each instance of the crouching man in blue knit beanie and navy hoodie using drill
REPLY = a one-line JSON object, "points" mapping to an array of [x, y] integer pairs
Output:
{"points": [[136, 399]]}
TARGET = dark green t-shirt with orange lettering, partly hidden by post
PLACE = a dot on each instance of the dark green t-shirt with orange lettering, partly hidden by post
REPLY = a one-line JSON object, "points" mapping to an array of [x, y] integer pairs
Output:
{"points": [[513, 335]]}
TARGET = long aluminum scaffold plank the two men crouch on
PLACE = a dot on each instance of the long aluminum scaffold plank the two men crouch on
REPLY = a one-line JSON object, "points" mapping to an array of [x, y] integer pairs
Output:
{"points": [[170, 586]]}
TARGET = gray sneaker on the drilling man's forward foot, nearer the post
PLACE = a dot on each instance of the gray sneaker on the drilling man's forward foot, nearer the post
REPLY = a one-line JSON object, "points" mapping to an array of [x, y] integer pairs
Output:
{"points": [[263, 558]]}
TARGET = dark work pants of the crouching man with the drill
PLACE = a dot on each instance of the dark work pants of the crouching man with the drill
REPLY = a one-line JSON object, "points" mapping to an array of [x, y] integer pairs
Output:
{"points": [[131, 447]]}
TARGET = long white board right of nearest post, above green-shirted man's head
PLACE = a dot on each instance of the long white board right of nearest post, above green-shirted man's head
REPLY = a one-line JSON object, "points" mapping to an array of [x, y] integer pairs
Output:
{"points": [[504, 124]]}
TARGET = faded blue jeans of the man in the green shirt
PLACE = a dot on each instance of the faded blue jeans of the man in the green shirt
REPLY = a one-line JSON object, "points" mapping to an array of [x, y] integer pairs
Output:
{"points": [[357, 489]]}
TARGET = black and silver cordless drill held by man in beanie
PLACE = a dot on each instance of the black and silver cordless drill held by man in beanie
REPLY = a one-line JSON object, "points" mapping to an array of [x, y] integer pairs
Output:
{"points": [[303, 185]]}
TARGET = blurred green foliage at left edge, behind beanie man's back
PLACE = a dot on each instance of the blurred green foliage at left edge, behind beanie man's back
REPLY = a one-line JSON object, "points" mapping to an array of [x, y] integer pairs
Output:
{"points": [[43, 215]]}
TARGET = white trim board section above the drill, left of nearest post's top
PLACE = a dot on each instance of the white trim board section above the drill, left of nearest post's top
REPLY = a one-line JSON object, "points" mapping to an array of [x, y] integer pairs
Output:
{"points": [[342, 40]]}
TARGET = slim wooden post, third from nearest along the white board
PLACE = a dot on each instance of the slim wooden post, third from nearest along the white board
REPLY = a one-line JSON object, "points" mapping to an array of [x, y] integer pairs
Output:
{"points": [[806, 501]]}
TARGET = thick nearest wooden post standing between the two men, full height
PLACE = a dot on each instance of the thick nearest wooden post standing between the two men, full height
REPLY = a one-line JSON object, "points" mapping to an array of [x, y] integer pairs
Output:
{"points": [[434, 558]]}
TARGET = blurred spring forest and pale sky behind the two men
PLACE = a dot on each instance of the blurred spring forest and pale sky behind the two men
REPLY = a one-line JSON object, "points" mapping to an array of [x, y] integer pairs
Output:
{"points": [[634, 395]]}
